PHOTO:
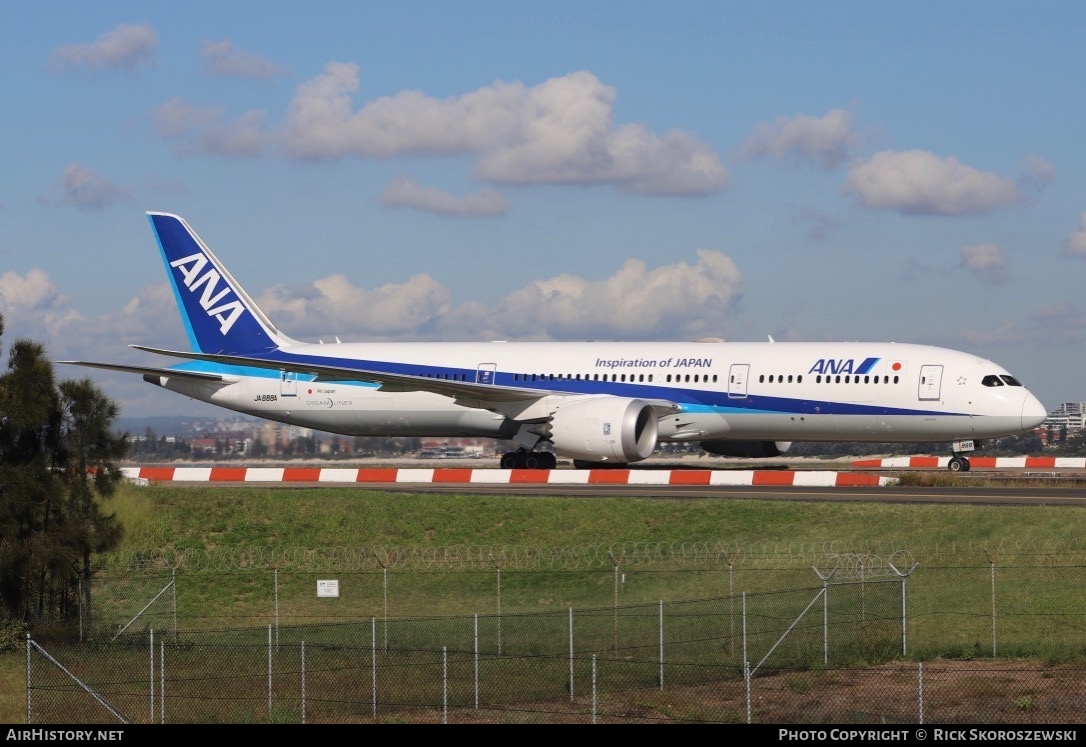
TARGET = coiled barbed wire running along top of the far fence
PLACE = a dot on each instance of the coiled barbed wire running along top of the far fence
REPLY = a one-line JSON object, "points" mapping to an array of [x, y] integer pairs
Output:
{"points": [[856, 559]]}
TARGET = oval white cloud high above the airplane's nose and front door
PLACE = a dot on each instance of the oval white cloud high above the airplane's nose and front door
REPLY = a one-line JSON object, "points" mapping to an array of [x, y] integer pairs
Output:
{"points": [[918, 183]]}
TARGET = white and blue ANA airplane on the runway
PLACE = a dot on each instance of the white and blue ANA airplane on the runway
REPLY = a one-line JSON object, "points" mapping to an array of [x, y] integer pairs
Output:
{"points": [[598, 403]]}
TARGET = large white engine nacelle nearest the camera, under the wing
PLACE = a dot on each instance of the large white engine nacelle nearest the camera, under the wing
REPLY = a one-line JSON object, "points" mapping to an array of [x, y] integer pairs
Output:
{"points": [[605, 429]]}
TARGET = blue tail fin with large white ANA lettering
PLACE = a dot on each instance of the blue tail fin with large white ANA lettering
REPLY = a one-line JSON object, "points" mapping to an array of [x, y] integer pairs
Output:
{"points": [[218, 313]]}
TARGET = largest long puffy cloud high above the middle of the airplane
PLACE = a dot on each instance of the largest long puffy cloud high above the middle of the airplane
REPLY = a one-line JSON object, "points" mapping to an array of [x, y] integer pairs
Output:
{"points": [[560, 132]]}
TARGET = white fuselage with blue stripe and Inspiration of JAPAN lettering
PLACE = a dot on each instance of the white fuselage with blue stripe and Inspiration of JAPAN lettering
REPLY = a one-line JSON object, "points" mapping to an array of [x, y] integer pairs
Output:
{"points": [[773, 391]]}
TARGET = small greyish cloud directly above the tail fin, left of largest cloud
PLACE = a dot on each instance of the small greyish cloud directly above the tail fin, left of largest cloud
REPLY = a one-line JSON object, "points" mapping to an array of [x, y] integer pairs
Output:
{"points": [[200, 131]]}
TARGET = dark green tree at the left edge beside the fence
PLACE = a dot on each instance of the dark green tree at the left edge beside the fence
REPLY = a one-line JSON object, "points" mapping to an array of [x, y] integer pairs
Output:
{"points": [[58, 464]]}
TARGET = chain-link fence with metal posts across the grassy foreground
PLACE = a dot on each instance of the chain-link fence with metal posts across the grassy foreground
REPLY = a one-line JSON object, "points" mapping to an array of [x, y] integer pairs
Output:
{"points": [[627, 637]]}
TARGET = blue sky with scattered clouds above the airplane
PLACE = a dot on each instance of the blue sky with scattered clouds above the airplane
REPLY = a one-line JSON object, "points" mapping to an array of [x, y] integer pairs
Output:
{"points": [[629, 171]]}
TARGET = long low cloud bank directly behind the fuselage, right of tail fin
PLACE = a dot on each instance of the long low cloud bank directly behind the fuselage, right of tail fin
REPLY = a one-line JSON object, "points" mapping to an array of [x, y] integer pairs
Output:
{"points": [[675, 302]]}
